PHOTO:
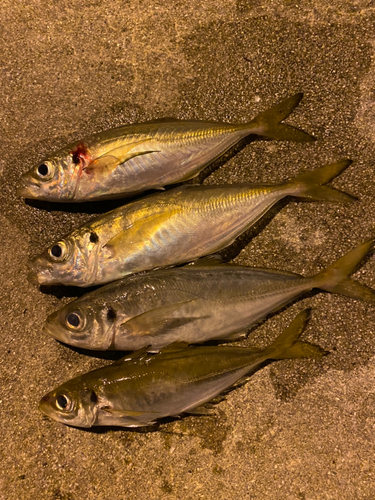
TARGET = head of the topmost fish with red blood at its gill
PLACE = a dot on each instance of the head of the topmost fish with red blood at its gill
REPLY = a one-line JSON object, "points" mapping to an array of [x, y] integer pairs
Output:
{"points": [[57, 177]]}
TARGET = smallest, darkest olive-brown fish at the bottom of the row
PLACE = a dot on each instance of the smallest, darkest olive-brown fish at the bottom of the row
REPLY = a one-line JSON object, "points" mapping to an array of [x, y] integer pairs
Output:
{"points": [[142, 388]]}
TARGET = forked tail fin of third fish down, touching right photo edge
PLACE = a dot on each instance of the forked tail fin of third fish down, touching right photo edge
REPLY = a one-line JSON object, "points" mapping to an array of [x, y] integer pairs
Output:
{"points": [[335, 278]]}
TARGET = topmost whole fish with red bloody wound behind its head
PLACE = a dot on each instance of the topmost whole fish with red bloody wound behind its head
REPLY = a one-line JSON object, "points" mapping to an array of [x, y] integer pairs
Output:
{"points": [[134, 158]]}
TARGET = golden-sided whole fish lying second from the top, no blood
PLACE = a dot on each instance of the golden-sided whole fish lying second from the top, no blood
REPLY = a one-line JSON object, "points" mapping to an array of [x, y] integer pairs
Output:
{"points": [[169, 228]]}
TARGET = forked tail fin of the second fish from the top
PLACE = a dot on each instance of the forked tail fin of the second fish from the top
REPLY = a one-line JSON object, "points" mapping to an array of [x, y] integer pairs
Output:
{"points": [[311, 184]]}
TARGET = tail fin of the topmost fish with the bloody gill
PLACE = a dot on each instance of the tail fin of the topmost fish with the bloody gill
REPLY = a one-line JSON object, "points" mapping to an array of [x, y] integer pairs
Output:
{"points": [[268, 124]]}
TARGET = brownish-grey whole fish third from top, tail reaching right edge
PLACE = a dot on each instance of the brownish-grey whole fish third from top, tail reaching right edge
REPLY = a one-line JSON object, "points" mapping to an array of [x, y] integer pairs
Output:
{"points": [[195, 303]]}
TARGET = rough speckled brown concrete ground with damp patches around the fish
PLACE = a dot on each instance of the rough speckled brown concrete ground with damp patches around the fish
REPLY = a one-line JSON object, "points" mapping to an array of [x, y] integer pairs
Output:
{"points": [[300, 430]]}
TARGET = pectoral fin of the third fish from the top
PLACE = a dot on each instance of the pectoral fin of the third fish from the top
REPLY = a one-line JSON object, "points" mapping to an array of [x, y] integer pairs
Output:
{"points": [[153, 321]]}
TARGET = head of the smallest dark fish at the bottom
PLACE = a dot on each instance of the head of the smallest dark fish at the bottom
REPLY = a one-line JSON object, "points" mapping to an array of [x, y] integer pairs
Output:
{"points": [[72, 403]]}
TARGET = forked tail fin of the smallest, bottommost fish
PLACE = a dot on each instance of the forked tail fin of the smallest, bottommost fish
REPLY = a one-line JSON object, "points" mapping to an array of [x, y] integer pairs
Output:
{"points": [[288, 346]]}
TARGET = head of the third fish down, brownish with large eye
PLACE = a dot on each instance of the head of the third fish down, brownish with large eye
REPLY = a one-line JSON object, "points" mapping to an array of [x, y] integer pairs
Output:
{"points": [[82, 324]]}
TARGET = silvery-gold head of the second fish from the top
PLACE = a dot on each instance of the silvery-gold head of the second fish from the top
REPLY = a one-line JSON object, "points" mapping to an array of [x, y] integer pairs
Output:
{"points": [[71, 261]]}
